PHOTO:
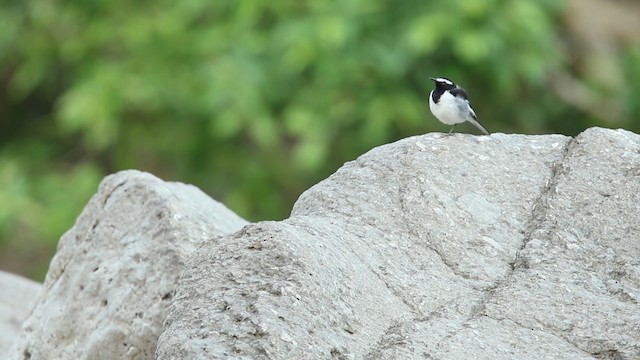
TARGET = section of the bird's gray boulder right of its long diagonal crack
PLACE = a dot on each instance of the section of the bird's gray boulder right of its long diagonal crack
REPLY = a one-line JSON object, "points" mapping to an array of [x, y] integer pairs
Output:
{"points": [[578, 277]]}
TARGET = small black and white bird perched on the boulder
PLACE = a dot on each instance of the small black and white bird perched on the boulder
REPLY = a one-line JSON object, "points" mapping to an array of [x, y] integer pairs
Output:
{"points": [[449, 104]]}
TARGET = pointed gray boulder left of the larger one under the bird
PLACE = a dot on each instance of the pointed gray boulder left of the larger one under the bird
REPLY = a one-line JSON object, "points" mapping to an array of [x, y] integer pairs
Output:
{"points": [[112, 279]]}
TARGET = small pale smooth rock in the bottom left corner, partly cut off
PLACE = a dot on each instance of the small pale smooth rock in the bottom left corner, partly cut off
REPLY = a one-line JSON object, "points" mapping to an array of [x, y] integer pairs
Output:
{"points": [[16, 297]]}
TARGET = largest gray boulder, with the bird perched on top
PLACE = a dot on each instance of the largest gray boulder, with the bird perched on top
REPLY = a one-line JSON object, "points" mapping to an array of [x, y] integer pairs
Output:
{"points": [[459, 247]]}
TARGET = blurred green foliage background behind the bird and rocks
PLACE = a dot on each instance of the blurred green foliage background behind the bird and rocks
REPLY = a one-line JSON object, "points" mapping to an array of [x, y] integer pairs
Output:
{"points": [[255, 101]]}
